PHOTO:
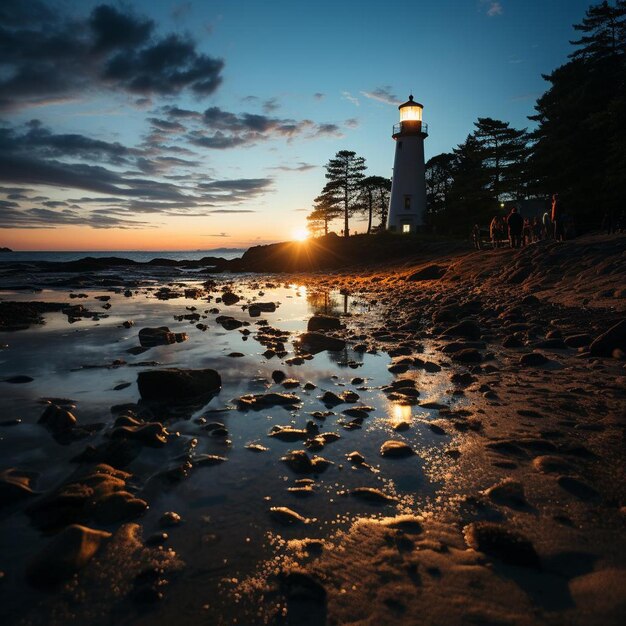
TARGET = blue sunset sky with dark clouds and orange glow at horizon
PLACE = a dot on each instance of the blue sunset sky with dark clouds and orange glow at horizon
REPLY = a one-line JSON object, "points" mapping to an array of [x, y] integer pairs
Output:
{"points": [[191, 125]]}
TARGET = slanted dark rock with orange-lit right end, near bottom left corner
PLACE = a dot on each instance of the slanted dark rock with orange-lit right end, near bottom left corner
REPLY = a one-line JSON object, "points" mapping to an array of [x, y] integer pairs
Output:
{"points": [[67, 553]]}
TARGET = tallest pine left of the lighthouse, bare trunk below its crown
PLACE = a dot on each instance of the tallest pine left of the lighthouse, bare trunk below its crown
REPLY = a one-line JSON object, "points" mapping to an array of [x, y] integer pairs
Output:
{"points": [[344, 174]]}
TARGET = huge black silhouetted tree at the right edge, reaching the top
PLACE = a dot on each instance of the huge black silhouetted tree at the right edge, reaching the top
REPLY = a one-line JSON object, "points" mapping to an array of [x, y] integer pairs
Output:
{"points": [[579, 146]]}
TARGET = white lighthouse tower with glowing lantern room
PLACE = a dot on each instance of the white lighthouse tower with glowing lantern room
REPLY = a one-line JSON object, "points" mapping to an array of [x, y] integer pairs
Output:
{"points": [[408, 188]]}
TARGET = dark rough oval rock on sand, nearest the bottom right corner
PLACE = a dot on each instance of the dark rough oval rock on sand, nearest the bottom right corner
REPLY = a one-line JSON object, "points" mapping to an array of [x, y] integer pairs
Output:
{"points": [[500, 542]]}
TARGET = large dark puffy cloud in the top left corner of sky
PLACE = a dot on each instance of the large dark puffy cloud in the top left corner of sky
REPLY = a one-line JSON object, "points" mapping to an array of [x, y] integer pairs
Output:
{"points": [[47, 58]]}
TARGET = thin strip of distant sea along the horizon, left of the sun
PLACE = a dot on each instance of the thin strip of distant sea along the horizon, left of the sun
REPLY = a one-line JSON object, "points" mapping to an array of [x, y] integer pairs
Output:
{"points": [[141, 256]]}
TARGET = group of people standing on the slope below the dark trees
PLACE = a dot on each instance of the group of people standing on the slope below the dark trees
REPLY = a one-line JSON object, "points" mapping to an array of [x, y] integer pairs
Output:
{"points": [[518, 231]]}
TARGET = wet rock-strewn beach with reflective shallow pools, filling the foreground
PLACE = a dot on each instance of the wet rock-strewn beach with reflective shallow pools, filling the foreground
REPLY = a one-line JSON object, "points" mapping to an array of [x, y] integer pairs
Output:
{"points": [[508, 507]]}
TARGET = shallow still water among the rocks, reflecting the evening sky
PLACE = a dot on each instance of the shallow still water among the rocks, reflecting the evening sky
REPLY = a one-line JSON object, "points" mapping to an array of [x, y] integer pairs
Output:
{"points": [[226, 528]]}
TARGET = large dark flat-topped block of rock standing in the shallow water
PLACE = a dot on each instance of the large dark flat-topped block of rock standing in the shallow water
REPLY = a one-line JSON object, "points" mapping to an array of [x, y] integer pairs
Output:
{"points": [[177, 384]]}
